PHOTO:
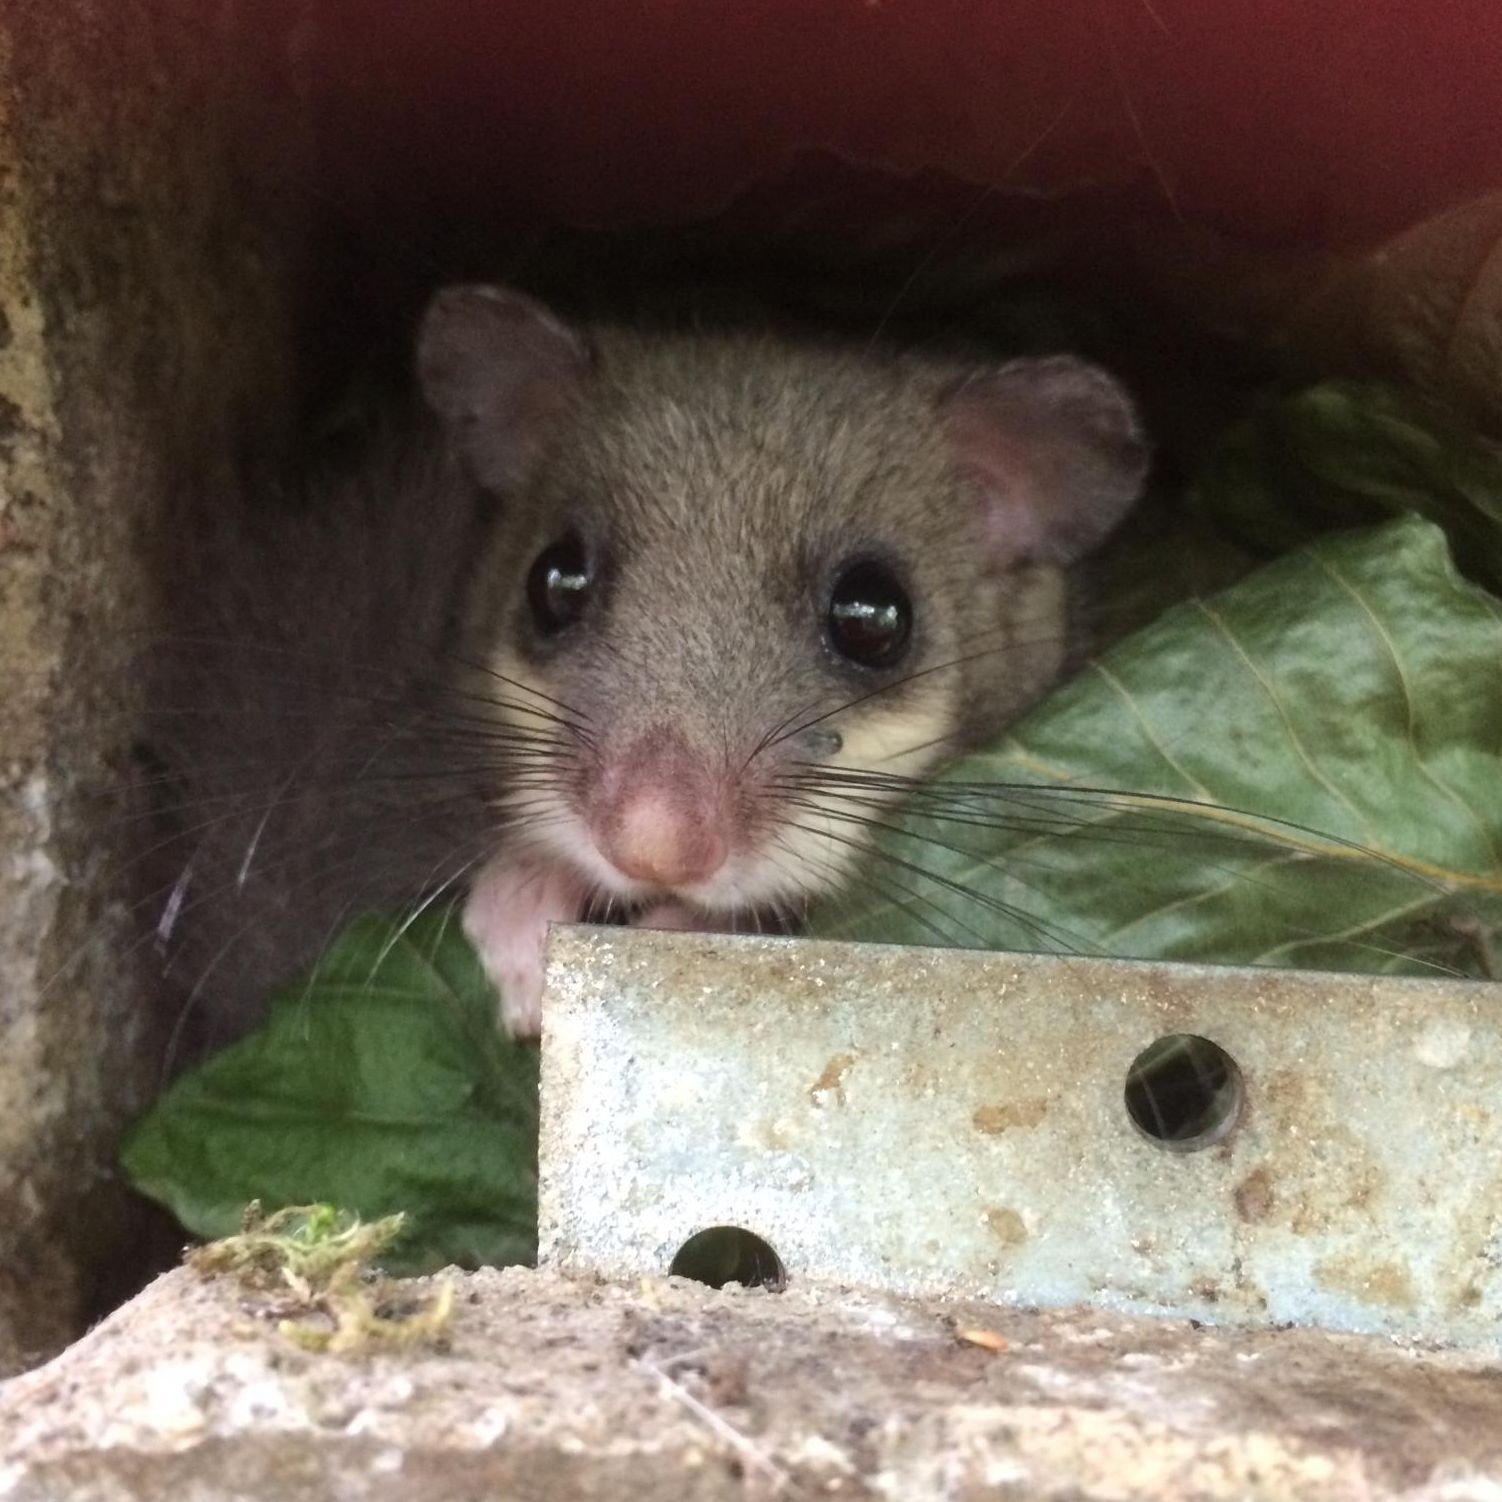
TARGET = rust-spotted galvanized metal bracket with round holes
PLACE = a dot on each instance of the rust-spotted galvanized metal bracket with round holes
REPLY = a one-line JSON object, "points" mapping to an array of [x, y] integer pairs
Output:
{"points": [[947, 1123]]}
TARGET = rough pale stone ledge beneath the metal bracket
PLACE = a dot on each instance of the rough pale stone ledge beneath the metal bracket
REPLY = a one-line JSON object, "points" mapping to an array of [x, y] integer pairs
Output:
{"points": [[558, 1390]]}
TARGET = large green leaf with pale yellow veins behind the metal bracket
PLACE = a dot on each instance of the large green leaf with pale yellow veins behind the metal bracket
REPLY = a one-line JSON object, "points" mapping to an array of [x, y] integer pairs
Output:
{"points": [[1309, 776]]}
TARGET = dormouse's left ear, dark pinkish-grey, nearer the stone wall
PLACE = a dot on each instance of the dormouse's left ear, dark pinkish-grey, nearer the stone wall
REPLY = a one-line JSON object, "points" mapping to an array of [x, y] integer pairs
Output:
{"points": [[499, 370]]}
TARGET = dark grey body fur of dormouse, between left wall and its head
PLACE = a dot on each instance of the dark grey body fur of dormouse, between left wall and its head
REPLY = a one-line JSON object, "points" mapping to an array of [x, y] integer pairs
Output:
{"points": [[315, 645]]}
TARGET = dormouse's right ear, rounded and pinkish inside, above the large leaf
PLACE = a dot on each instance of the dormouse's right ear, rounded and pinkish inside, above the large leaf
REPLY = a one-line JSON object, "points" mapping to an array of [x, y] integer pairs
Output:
{"points": [[1055, 453]]}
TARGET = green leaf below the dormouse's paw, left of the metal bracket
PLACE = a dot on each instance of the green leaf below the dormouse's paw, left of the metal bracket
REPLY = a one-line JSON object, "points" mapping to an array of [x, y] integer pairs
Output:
{"points": [[381, 1085]]}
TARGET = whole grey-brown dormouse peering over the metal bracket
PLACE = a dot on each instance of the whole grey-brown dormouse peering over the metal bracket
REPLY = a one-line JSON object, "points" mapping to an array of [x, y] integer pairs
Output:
{"points": [[698, 605]]}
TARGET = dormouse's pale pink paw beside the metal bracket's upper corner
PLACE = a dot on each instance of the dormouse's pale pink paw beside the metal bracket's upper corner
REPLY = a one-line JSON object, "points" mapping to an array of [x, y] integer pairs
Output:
{"points": [[507, 918]]}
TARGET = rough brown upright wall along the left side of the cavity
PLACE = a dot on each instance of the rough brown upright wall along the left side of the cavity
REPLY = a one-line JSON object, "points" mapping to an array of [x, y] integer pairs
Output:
{"points": [[145, 306]]}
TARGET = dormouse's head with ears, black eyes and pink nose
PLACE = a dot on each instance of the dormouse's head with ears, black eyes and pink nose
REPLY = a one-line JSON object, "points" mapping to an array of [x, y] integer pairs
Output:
{"points": [[752, 587]]}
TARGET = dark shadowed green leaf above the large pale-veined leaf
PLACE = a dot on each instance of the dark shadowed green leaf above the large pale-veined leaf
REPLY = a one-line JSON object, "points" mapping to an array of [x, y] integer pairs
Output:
{"points": [[1348, 454]]}
